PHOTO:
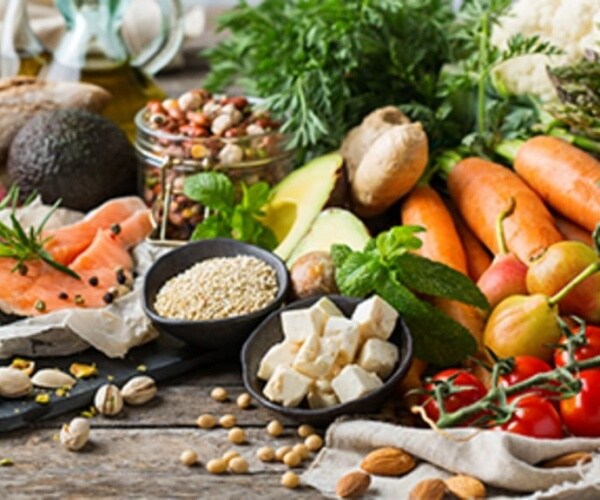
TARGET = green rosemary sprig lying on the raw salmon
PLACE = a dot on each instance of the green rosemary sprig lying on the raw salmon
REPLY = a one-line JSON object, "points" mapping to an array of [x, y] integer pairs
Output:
{"points": [[21, 245]]}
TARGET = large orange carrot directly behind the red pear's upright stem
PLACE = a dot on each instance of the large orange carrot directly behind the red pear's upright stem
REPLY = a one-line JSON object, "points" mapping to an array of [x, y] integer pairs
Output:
{"points": [[482, 189]]}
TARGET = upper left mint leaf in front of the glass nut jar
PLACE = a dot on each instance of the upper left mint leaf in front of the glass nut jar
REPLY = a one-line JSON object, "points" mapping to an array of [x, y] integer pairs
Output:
{"points": [[211, 189]]}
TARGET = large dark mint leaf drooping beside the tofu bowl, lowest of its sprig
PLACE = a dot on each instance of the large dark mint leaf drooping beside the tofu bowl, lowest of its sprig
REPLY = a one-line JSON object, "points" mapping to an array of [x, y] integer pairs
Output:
{"points": [[436, 338]]}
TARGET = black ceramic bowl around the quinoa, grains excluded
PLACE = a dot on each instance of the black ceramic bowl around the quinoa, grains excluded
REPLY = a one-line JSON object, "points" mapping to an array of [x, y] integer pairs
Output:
{"points": [[227, 333]]}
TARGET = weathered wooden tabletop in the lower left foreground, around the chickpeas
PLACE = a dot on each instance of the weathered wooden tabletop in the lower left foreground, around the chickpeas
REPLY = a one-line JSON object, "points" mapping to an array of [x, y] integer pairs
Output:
{"points": [[137, 453]]}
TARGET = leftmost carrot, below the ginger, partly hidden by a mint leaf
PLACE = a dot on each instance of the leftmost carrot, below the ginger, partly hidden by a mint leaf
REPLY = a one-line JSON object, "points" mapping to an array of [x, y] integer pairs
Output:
{"points": [[441, 243]]}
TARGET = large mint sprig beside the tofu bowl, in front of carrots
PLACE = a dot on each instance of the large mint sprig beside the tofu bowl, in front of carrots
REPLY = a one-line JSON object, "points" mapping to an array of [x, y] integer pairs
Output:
{"points": [[386, 267]]}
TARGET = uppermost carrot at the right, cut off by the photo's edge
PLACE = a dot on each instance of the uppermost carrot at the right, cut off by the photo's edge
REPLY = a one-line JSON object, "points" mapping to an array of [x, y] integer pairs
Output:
{"points": [[564, 176]]}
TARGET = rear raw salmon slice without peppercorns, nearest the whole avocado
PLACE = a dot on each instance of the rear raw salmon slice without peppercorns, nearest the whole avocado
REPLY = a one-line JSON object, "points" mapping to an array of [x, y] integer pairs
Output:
{"points": [[69, 241]]}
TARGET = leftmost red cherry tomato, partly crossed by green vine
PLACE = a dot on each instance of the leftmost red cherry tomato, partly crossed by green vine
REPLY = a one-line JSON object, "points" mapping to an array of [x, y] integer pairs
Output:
{"points": [[474, 391]]}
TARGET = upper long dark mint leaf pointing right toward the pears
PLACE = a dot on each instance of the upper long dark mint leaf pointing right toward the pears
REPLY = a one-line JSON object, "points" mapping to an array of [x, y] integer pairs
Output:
{"points": [[433, 278]]}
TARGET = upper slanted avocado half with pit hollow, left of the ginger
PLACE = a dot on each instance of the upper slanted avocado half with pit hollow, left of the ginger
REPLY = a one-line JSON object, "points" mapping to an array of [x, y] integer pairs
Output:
{"points": [[299, 198]]}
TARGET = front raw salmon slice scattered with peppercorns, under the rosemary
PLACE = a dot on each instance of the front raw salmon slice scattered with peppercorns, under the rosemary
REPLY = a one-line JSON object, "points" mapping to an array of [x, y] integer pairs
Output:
{"points": [[100, 266]]}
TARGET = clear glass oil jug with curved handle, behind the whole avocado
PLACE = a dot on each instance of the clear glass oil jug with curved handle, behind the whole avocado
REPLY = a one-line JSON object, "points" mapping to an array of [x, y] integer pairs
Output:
{"points": [[93, 50]]}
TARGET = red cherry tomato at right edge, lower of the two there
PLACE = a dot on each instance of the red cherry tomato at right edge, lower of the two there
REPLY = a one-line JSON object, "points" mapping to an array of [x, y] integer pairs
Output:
{"points": [[581, 413]]}
